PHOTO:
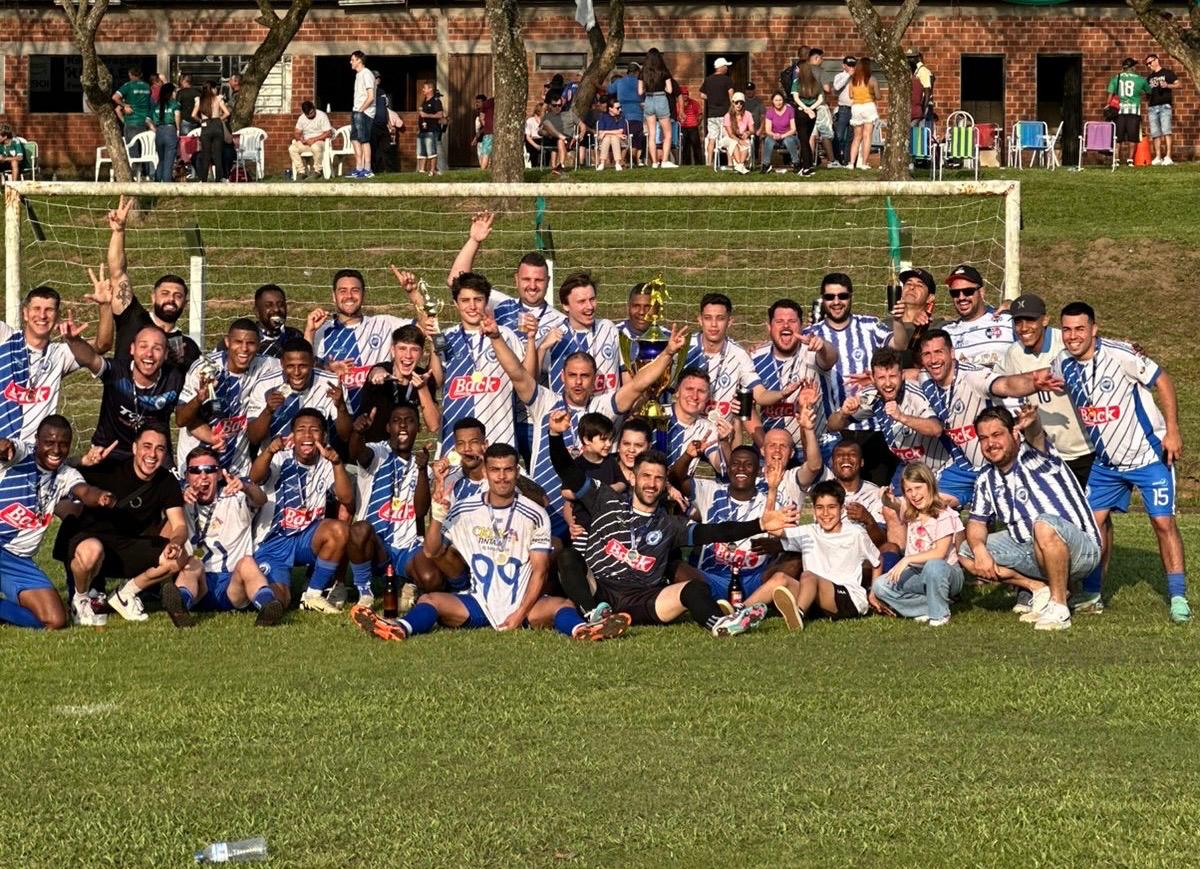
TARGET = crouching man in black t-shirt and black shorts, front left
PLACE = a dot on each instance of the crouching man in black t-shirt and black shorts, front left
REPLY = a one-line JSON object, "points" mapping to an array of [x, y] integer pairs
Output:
{"points": [[128, 541]]}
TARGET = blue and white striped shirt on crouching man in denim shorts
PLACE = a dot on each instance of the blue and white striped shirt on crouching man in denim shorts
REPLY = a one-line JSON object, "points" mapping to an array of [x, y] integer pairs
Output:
{"points": [[1039, 483]]}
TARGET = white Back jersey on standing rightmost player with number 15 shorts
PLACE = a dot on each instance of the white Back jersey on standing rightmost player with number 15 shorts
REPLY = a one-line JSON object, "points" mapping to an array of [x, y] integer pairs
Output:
{"points": [[1112, 393]]}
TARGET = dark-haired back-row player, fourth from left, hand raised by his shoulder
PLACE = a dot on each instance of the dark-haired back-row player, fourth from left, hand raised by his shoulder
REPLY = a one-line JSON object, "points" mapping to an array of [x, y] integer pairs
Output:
{"points": [[352, 343]]}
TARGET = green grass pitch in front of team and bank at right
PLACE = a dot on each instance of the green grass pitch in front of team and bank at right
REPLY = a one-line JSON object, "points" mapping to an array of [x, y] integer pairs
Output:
{"points": [[872, 744]]}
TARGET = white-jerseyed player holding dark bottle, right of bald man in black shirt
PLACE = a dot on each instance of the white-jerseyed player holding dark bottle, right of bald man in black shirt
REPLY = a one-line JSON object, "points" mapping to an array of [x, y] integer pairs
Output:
{"points": [[218, 400]]}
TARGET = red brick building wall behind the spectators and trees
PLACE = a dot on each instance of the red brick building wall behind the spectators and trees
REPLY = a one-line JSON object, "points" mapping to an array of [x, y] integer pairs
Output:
{"points": [[1001, 62]]}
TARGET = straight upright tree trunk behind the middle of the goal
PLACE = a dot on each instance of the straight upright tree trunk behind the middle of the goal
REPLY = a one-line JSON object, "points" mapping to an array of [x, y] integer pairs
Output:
{"points": [[512, 75]]}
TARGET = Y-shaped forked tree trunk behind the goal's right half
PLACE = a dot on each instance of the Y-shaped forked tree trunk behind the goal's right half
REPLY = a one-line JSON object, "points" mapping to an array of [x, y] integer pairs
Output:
{"points": [[886, 45]]}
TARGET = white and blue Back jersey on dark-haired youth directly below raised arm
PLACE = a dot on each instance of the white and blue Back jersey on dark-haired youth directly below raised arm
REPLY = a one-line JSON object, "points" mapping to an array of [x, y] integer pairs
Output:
{"points": [[477, 385]]}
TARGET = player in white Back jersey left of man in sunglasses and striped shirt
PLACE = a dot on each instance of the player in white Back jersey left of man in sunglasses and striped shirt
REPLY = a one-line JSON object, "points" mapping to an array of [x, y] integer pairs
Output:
{"points": [[788, 361]]}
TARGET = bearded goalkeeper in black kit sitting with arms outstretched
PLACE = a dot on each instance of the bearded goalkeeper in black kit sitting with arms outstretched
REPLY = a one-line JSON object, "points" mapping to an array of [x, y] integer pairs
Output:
{"points": [[632, 537]]}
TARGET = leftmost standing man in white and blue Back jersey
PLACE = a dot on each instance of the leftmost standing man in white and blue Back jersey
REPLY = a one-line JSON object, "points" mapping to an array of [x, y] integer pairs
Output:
{"points": [[32, 369]]}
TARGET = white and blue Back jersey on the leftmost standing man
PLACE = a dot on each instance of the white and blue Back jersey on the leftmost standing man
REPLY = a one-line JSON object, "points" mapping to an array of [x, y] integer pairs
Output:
{"points": [[29, 383]]}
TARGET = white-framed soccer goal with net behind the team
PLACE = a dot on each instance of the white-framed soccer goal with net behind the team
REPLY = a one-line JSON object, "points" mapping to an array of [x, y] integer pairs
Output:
{"points": [[755, 242]]}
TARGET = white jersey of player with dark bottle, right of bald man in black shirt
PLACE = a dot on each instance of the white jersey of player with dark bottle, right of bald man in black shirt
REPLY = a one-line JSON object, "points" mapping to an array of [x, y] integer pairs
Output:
{"points": [[235, 406]]}
